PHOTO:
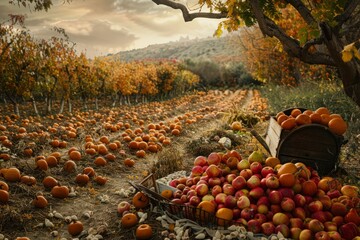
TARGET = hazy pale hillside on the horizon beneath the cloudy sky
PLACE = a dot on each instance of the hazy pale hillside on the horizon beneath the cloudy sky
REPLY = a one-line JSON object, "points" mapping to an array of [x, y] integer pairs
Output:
{"points": [[217, 49]]}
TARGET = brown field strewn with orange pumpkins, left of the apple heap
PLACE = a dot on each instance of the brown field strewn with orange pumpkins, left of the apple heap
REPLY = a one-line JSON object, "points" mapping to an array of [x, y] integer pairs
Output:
{"points": [[106, 143]]}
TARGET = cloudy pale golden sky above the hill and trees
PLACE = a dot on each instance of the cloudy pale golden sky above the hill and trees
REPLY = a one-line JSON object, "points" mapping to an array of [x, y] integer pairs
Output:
{"points": [[100, 27]]}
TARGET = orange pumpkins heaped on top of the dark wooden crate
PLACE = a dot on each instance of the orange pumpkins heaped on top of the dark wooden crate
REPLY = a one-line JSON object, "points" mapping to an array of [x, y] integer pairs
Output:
{"points": [[322, 115]]}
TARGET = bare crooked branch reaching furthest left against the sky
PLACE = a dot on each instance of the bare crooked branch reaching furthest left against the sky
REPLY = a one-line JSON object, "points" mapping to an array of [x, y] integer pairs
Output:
{"points": [[186, 14]]}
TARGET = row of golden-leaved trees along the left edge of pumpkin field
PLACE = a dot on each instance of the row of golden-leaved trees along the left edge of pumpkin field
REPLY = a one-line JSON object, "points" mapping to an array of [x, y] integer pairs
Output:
{"points": [[50, 70]]}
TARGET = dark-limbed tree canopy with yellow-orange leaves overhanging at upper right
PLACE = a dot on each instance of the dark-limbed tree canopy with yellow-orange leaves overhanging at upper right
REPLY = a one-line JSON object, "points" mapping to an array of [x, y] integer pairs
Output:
{"points": [[318, 37]]}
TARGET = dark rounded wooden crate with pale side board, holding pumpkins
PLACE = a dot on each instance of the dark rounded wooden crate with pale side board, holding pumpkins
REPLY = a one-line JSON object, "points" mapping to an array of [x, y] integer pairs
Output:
{"points": [[313, 144]]}
